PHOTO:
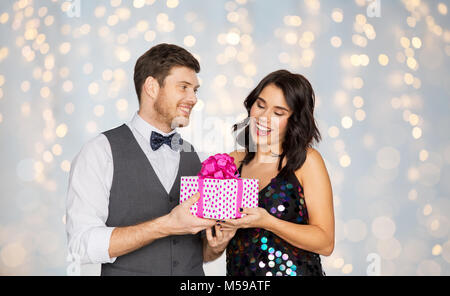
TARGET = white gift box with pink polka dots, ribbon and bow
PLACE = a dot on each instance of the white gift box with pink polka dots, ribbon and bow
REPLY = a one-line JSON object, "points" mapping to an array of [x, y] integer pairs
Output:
{"points": [[221, 190]]}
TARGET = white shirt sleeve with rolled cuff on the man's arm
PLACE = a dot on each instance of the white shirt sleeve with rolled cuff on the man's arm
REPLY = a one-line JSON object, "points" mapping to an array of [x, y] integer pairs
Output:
{"points": [[87, 202]]}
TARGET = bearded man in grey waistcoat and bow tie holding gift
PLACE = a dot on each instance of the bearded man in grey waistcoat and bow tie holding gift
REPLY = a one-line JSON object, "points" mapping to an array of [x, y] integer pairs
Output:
{"points": [[123, 199]]}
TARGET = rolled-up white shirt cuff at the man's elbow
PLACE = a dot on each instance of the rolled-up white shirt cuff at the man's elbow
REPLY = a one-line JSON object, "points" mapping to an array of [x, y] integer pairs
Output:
{"points": [[98, 245]]}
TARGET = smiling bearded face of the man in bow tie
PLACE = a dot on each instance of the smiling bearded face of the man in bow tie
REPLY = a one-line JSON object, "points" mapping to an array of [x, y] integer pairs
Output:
{"points": [[177, 97]]}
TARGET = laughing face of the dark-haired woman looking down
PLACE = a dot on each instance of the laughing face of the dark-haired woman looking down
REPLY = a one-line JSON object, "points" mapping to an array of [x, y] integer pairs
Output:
{"points": [[269, 116]]}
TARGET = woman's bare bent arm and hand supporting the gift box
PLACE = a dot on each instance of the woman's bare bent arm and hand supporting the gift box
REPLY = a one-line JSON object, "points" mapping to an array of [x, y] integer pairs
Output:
{"points": [[318, 235]]}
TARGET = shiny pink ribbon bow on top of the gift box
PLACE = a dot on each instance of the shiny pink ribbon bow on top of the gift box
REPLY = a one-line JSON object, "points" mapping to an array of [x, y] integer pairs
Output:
{"points": [[219, 166]]}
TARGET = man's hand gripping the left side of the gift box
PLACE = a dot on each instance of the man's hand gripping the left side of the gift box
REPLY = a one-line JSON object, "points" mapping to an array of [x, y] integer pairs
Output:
{"points": [[181, 221]]}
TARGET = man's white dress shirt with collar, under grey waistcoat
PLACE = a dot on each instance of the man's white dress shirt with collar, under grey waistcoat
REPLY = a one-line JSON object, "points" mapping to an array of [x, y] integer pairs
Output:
{"points": [[90, 182]]}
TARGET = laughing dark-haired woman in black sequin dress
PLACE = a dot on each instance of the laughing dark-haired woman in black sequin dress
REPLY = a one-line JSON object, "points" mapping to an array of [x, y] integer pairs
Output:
{"points": [[294, 222]]}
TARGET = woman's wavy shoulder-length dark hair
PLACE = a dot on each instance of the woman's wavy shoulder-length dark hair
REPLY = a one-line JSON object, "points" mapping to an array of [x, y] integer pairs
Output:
{"points": [[301, 130]]}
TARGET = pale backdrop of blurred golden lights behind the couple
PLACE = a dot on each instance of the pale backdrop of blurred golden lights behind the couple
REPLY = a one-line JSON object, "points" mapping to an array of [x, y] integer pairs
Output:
{"points": [[382, 87]]}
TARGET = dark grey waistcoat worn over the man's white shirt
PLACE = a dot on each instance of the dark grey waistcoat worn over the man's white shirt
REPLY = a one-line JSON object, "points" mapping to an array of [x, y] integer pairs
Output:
{"points": [[136, 196]]}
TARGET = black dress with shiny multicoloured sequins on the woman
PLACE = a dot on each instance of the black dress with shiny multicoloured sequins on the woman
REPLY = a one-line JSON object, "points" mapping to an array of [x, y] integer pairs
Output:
{"points": [[258, 252]]}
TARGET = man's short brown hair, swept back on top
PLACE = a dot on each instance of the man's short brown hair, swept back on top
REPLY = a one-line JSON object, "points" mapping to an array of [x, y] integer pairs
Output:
{"points": [[158, 61]]}
